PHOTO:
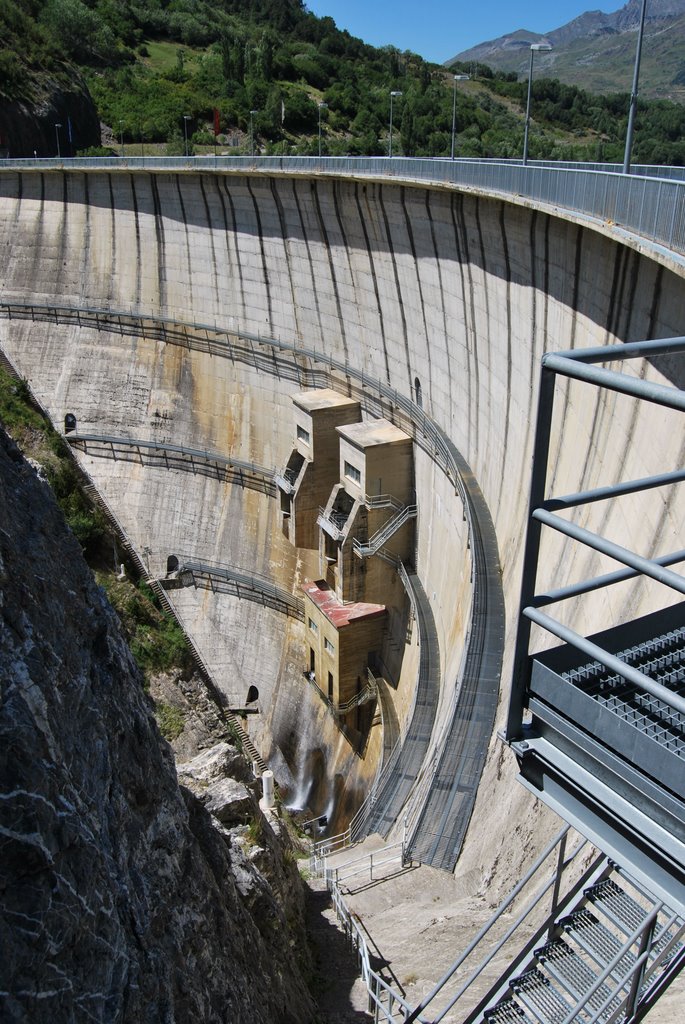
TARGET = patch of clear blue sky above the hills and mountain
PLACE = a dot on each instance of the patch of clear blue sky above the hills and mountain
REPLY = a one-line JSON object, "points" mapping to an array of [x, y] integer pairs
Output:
{"points": [[440, 29]]}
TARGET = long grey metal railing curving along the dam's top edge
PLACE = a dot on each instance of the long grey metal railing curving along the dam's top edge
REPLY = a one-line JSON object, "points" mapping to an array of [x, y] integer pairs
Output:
{"points": [[649, 203]]}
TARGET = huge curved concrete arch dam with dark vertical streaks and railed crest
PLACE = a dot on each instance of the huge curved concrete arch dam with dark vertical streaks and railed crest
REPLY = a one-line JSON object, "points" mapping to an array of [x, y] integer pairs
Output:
{"points": [[182, 305]]}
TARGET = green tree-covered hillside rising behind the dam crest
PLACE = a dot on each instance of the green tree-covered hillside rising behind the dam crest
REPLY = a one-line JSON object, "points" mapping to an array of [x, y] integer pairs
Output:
{"points": [[166, 75]]}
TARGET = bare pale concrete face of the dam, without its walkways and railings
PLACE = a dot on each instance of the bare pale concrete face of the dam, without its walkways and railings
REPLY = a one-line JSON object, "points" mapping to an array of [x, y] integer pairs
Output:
{"points": [[449, 297]]}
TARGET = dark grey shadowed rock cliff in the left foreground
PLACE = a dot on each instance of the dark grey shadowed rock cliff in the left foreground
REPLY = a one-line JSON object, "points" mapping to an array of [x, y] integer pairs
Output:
{"points": [[121, 898]]}
